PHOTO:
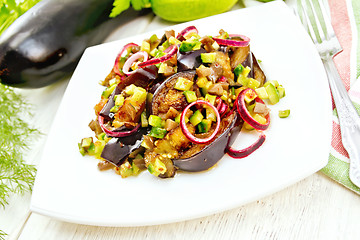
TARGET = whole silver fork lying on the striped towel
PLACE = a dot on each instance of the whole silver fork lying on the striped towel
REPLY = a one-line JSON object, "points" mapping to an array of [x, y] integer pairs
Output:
{"points": [[313, 15]]}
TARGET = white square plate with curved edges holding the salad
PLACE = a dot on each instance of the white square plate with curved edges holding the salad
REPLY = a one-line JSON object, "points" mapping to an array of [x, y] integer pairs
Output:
{"points": [[69, 186]]}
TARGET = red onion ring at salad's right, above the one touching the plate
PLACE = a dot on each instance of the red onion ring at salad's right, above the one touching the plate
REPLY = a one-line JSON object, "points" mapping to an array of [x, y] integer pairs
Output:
{"points": [[244, 113]]}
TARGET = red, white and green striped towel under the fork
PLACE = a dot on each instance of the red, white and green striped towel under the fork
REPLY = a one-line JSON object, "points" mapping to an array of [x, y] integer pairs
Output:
{"points": [[345, 16]]}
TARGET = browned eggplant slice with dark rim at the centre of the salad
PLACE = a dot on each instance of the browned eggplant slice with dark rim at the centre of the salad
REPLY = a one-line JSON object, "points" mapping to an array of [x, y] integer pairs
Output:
{"points": [[162, 101]]}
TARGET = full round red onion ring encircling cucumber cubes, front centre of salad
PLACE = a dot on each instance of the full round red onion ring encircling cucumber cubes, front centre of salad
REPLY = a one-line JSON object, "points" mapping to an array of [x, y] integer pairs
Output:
{"points": [[187, 133]]}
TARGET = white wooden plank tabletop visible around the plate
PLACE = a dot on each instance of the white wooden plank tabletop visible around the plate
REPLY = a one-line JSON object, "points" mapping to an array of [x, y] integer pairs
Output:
{"points": [[314, 208]]}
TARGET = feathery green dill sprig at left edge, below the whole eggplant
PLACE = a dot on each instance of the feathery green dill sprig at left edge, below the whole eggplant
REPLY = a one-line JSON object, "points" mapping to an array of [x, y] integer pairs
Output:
{"points": [[16, 176]]}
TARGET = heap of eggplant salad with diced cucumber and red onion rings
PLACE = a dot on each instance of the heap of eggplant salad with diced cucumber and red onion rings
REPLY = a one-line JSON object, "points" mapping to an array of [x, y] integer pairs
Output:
{"points": [[178, 103]]}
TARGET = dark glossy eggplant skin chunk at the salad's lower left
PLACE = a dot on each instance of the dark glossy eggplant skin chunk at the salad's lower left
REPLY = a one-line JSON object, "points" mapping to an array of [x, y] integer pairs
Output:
{"points": [[118, 149]]}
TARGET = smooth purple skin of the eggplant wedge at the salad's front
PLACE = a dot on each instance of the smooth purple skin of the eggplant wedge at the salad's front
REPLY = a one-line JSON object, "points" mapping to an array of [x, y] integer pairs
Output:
{"points": [[213, 152]]}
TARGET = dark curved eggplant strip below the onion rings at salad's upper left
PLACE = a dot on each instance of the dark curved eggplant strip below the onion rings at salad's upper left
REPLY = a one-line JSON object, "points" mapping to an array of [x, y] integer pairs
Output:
{"points": [[142, 77]]}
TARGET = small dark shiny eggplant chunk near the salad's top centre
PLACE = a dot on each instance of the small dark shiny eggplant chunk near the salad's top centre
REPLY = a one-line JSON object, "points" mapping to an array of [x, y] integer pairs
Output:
{"points": [[189, 60]]}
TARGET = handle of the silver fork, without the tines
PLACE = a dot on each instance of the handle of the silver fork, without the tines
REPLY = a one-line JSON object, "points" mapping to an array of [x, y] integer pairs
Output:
{"points": [[349, 120]]}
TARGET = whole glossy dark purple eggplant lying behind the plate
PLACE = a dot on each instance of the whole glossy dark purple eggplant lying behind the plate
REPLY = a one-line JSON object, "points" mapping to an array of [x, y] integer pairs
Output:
{"points": [[45, 44]]}
